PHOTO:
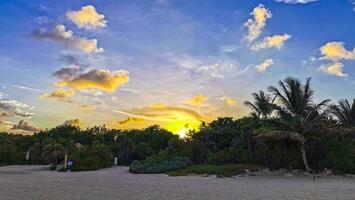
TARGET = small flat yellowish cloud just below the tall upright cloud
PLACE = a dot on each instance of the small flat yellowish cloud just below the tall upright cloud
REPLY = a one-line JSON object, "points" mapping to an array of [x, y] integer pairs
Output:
{"points": [[276, 41]]}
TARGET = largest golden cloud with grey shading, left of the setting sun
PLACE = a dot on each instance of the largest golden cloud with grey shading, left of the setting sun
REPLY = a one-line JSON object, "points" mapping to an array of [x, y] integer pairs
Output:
{"points": [[99, 79]]}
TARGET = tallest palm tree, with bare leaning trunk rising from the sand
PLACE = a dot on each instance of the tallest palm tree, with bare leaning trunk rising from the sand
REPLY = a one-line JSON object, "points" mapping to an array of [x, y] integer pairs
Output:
{"points": [[299, 115]]}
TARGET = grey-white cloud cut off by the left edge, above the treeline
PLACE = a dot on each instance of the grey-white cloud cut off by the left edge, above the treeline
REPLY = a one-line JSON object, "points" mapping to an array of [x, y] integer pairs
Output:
{"points": [[11, 108]]}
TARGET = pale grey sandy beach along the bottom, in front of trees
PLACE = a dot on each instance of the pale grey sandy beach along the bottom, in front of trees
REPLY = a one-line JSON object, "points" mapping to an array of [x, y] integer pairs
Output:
{"points": [[21, 182]]}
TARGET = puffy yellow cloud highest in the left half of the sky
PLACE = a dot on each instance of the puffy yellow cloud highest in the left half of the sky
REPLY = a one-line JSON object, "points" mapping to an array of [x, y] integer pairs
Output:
{"points": [[87, 18]]}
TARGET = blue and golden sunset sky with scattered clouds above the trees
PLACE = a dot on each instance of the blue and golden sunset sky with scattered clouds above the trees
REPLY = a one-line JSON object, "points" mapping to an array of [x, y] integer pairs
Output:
{"points": [[133, 63]]}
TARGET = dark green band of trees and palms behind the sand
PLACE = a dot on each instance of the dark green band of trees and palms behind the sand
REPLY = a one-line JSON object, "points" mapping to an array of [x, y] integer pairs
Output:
{"points": [[286, 129]]}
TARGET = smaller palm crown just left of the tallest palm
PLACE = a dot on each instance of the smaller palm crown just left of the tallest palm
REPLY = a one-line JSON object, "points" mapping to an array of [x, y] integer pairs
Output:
{"points": [[261, 105]]}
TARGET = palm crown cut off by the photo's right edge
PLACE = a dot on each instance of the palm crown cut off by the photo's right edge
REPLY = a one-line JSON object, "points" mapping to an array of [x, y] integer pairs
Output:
{"points": [[344, 112]]}
